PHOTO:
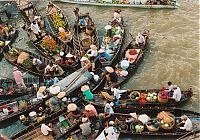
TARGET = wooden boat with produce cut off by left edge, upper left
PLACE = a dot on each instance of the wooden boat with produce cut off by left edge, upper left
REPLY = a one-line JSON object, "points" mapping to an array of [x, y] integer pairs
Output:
{"points": [[5, 43]]}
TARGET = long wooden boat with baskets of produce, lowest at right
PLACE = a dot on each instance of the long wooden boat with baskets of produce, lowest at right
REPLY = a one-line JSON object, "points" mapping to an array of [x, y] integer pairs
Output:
{"points": [[153, 113]]}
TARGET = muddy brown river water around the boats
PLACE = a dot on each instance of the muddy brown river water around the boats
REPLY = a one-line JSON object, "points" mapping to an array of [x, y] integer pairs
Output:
{"points": [[174, 46]]}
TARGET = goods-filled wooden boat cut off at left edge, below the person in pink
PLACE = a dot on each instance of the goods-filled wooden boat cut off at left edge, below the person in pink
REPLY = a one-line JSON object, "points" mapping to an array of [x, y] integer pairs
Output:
{"points": [[16, 107]]}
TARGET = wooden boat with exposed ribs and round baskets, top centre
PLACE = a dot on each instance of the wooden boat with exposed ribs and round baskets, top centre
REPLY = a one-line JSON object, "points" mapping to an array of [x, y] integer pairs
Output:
{"points": [[80, 43]]}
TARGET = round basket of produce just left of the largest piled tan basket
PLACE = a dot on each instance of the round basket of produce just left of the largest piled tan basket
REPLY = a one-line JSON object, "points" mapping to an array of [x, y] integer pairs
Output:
{"points": [[153, 125]]}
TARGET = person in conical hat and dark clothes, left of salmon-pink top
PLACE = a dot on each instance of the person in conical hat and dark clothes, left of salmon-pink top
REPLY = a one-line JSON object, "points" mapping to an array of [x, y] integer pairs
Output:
{"points": [[74, 110]]}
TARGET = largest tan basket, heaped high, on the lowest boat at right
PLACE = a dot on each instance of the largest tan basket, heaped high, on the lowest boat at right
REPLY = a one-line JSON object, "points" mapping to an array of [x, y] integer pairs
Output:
{"points": [[167, 120]]}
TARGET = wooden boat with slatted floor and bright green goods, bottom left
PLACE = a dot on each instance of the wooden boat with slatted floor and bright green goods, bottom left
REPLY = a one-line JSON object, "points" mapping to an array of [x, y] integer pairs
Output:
{"points": [[61, 121]]}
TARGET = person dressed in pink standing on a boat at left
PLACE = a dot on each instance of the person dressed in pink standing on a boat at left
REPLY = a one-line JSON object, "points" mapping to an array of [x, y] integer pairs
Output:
{"points": [[18, 76]]}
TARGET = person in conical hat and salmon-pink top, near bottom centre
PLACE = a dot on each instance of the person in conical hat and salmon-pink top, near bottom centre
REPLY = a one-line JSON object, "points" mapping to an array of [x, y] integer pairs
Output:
{"points": [[90, 111]]}
